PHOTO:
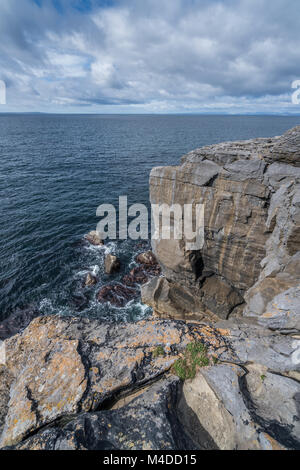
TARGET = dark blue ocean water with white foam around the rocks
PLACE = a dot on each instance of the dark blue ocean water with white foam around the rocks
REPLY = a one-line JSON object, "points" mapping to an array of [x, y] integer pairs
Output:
{"points": [[56, 170]]}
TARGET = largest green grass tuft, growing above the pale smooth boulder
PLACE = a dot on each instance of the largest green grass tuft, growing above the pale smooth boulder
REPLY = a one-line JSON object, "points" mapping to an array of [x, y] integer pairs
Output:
{"points": [[195, 356]]}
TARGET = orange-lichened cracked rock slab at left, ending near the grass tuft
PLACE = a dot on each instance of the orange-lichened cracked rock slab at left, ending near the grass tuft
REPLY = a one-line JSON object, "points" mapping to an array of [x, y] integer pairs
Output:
{"points": [[62, 366]]}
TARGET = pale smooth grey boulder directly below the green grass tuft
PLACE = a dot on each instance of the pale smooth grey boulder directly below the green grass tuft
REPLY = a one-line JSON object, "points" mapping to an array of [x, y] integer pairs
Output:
{"points": [[215, 400]]}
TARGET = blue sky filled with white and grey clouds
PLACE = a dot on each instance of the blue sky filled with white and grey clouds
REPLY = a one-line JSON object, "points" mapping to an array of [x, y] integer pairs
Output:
{"points": [[150, 56]]}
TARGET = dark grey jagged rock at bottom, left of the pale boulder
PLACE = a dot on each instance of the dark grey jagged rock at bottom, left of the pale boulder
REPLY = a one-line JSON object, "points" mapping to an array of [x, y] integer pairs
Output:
{"points": [[148, 423]]}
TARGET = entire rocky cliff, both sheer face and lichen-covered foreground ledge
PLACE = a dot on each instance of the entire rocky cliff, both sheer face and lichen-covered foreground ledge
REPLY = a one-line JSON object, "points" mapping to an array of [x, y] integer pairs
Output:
{"points": [[228, 378]]}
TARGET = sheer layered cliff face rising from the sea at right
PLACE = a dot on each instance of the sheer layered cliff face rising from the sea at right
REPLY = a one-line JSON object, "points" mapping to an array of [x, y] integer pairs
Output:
{"points": [[250, 259]]}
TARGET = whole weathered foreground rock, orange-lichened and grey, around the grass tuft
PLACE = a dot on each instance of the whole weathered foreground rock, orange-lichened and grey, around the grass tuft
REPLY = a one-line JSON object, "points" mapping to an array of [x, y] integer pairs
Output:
{"points": [[72, 383]]}
